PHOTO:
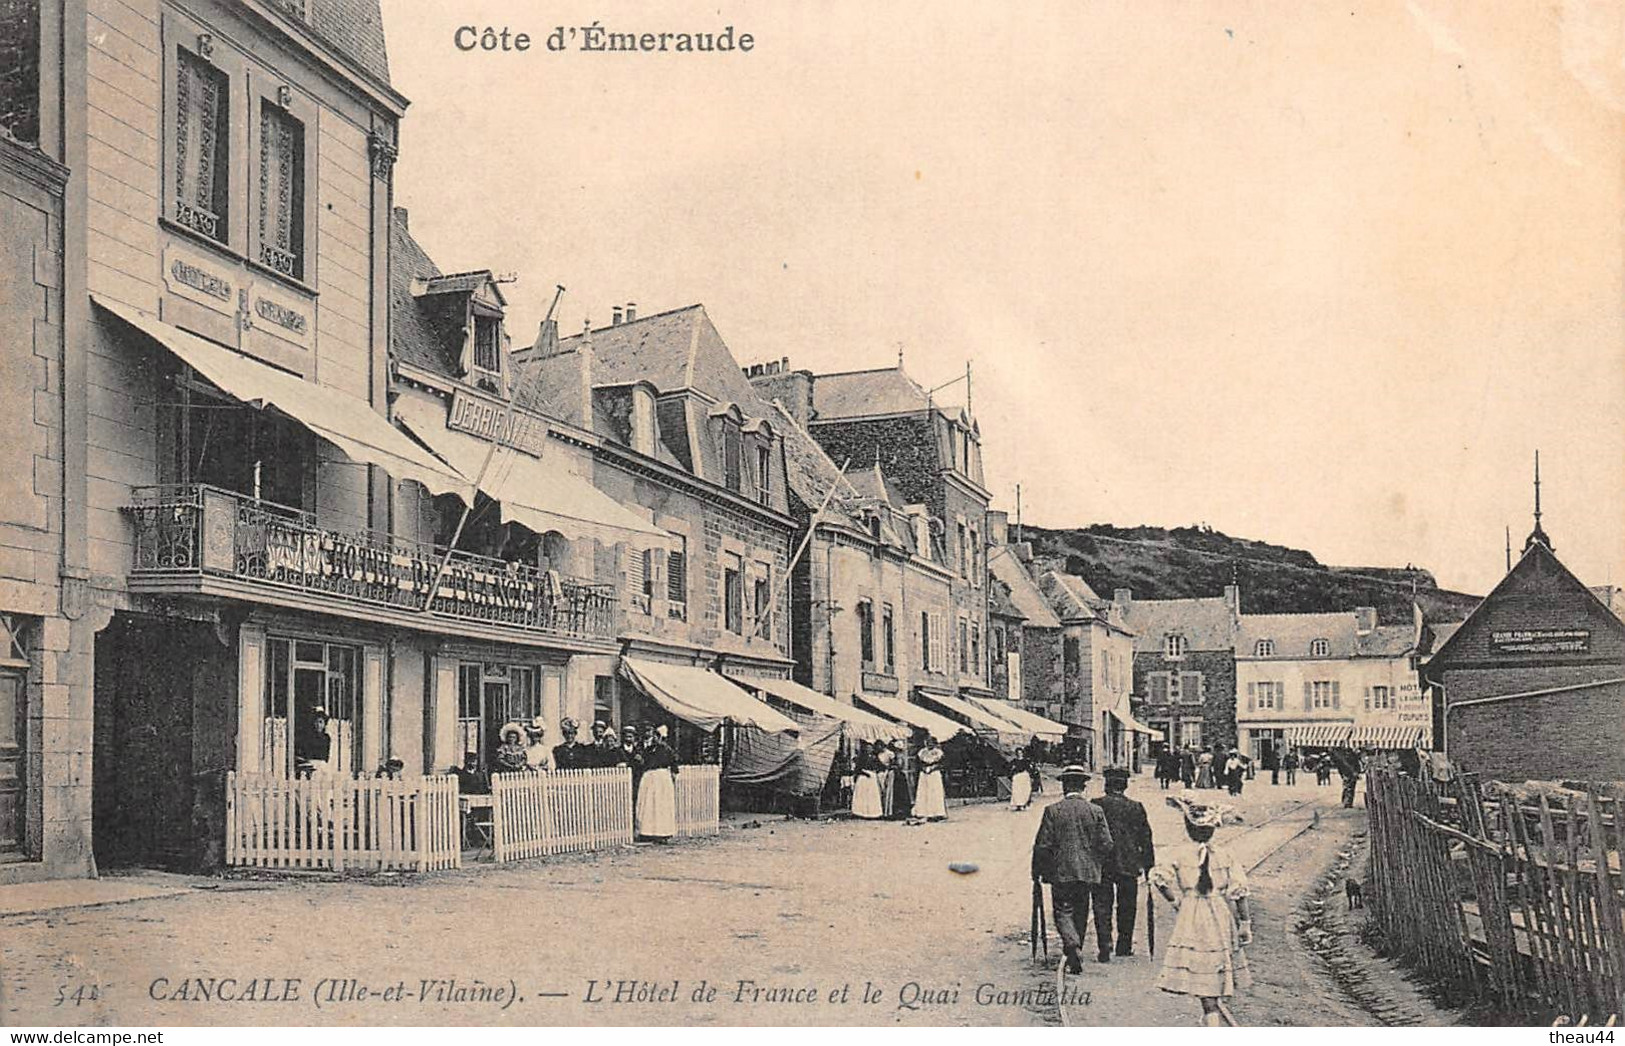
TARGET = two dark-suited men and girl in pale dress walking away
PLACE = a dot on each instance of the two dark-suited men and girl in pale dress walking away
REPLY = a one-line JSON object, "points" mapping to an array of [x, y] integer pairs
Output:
{"points": [[1094, 854]]}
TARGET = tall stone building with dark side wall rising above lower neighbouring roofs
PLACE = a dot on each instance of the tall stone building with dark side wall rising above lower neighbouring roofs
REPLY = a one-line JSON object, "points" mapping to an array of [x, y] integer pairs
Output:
{"points": [[932, 457]]}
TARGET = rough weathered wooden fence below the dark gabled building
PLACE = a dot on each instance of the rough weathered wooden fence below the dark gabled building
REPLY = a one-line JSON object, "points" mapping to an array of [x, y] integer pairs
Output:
{"points": [[1504, 891]]}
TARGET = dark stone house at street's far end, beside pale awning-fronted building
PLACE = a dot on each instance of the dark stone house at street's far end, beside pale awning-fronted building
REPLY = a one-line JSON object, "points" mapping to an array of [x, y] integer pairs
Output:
{"points": [[1185, 667]]}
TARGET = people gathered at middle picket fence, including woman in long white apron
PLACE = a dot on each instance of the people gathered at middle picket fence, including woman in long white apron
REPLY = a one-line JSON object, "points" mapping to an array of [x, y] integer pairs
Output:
{"points": [[644, 750]]}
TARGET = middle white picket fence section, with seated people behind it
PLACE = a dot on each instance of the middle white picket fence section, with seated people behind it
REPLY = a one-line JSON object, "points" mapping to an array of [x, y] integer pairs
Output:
{"points": [[568, 811]]}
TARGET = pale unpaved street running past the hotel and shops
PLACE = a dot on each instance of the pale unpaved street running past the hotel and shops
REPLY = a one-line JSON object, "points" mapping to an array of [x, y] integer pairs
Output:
{"points": [[774, 923]]}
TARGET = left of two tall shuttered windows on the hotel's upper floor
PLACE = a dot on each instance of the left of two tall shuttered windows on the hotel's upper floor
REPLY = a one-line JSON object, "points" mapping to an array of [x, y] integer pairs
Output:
{"points": [[202, 155]]}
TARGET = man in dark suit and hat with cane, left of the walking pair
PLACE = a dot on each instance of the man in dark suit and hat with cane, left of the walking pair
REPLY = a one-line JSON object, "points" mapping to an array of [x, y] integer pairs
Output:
{"points": [[1072, 847]]}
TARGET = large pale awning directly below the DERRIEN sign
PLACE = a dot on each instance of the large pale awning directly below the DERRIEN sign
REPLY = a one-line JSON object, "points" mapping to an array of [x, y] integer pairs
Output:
{"points": [[537, 493]]}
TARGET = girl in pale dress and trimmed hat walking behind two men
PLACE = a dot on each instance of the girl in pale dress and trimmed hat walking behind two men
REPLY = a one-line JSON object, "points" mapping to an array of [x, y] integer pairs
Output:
{"points": [[1208, 888]]}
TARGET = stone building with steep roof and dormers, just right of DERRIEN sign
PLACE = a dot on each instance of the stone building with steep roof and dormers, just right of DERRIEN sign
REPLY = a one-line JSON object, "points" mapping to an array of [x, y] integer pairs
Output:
{"points": [[683, 439]]}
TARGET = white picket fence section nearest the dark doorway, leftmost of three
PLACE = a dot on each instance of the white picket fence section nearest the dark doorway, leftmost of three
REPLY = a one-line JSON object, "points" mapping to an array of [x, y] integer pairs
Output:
{"points": [[339, 824]]}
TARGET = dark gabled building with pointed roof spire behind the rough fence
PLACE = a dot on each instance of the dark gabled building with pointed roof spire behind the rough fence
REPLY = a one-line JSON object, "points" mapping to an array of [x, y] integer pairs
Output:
{"points": [[1532, 686]]}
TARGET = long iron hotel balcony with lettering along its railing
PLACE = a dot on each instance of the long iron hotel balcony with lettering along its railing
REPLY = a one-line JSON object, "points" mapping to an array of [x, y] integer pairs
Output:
{"points": [[199, 540]]}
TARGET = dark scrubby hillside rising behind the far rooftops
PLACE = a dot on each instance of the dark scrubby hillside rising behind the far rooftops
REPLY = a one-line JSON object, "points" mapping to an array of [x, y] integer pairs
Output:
{"points": [[1189, 561]]}
